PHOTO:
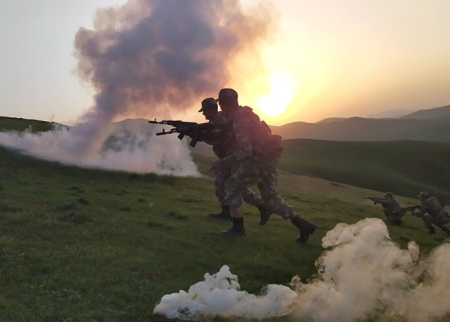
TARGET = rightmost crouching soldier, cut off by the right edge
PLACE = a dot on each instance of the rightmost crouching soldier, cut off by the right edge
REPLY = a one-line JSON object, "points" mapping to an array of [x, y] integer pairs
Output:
{"points": [[432, 212]]}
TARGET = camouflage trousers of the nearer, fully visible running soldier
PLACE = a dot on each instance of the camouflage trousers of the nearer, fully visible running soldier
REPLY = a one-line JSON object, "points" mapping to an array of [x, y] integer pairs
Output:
{"points": [[263, 173]]}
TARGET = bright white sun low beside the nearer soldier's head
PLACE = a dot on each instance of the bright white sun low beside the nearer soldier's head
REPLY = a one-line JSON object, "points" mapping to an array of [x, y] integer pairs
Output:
{"points": [[280, 94]]}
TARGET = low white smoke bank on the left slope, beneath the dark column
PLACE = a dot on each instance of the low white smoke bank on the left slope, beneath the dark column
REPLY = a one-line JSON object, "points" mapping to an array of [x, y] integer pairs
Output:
{"points": [[126, 146]]}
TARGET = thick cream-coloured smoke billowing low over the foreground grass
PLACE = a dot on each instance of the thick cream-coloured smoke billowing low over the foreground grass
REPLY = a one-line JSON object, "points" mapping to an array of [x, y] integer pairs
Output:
{"points": [[362, 276]]}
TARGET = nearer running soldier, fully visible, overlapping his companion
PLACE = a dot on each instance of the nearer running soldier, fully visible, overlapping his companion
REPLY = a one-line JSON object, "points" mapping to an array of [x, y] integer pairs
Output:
{"points": [[254, 160]]}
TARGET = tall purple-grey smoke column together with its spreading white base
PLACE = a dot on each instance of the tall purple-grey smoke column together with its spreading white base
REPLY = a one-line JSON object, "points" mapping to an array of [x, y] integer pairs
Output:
{"points": [[152, 59]]}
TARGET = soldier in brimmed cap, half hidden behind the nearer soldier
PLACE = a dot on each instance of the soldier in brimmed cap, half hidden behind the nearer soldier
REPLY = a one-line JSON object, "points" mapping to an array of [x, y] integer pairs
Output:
{"points": [[222, 143]]}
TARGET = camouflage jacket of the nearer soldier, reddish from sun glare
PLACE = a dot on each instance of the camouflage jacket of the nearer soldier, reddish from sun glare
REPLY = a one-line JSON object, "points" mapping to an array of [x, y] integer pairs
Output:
{"points": [[252, 137]]}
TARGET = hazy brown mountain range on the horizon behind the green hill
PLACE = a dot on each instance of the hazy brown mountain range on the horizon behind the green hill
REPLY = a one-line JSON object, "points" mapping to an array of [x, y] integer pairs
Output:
{"points": [[424, 125]]}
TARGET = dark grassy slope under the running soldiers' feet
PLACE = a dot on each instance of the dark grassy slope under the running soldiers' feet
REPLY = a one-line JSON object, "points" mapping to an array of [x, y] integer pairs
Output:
{"points": [[91, 245]]}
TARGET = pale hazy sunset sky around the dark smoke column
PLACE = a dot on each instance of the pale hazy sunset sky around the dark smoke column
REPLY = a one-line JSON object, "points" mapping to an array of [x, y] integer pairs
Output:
{"points": [[329, 59]]}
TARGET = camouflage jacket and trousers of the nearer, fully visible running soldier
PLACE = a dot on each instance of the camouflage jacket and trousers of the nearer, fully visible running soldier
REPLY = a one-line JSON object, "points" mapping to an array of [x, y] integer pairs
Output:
{"points": [[254, 160]]}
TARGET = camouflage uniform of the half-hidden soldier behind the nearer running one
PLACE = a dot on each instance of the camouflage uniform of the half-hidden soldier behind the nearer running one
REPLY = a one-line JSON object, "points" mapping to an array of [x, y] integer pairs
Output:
{"points": [[223, 145]]}
